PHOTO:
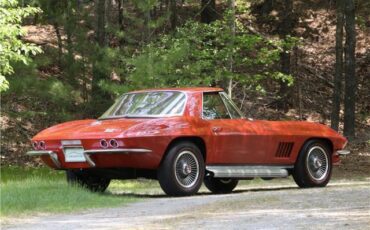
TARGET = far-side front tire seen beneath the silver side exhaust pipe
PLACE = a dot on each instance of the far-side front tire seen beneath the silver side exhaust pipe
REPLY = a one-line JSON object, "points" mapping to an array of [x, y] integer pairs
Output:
{"points": [[217, 185]]}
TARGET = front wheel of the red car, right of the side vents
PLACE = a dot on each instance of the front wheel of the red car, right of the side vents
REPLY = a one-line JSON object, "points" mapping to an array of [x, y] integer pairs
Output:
{"points": [[313, 166]]}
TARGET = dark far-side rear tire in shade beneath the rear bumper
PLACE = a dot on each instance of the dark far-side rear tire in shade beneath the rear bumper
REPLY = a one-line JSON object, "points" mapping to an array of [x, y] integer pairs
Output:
{"points": [[91, 182]]}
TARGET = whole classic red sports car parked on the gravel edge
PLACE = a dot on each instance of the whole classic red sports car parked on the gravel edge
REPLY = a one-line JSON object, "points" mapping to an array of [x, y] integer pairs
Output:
{"points": [[184, 136]]}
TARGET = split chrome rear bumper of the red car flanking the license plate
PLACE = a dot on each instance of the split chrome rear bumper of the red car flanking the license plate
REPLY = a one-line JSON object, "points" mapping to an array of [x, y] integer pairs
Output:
{"points": [[54, 157]]}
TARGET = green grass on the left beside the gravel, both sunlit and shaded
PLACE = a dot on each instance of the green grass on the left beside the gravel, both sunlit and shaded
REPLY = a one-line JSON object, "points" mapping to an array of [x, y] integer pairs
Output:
{"points": [[41, 190]]}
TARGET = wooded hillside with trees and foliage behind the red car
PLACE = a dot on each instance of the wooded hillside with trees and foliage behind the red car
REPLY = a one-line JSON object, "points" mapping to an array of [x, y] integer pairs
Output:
{"points": [[62, 60]]}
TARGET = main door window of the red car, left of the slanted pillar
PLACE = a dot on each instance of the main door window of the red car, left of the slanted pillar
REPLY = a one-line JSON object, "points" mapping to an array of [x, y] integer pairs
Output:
{"points": [[214, 107]]}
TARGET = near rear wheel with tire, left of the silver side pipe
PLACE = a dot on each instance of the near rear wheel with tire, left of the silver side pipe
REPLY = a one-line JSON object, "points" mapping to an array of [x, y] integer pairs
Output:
{"points": [[182, 170]]}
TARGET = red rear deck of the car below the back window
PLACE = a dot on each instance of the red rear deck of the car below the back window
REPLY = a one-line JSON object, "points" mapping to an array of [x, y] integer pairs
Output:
{"points": [[88, 129]]}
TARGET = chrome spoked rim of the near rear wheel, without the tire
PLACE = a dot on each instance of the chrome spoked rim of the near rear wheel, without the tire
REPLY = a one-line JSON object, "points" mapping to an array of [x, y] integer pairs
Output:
{"points": [[186, 169]]}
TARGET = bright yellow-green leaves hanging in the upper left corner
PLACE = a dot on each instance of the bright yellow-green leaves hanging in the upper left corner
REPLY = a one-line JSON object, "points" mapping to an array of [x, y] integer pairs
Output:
{"points": [[12, 48]]}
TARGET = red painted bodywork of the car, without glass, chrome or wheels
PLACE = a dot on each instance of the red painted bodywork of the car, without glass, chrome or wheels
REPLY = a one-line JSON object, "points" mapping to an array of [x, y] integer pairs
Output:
{"points": [[228, 141]]}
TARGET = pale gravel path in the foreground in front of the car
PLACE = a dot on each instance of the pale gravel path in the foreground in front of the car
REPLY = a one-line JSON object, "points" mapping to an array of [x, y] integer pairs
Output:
{"points": [[338, 206]]}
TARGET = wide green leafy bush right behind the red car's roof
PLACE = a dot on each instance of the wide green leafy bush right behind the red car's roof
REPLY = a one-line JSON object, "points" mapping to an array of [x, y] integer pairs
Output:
{"points": [[203, 54]]}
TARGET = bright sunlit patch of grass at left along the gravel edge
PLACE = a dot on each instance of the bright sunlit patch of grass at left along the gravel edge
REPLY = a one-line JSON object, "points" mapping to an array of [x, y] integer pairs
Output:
{"points": [[40, 195]]}
